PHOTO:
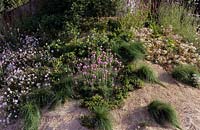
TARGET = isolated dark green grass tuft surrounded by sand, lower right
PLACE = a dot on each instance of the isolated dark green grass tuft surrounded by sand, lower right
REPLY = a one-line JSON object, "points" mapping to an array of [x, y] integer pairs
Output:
{"points": [[164, 114]]}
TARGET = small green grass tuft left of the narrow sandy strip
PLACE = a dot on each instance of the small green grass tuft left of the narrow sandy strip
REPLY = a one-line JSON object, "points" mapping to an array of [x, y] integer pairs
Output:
{"points": [[146, 73]]}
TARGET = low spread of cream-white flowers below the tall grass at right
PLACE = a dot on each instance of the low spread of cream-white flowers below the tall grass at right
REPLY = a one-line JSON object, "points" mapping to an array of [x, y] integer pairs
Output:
{"points": [[168, 50]]}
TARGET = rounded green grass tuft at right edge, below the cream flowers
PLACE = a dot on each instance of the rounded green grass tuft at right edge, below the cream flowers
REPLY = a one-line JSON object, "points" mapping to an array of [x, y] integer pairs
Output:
{"points": [[186, 74]]}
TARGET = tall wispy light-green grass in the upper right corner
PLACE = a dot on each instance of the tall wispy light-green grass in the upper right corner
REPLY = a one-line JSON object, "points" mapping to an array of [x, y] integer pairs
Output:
{"points": [[178, 16]]}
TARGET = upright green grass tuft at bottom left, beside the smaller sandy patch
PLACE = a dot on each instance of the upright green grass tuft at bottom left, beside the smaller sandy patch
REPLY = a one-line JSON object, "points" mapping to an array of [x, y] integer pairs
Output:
{"points": [[31, 116]]}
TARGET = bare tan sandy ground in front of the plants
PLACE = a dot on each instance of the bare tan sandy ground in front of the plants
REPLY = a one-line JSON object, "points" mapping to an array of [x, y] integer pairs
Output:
{"points": [[185, 99]]}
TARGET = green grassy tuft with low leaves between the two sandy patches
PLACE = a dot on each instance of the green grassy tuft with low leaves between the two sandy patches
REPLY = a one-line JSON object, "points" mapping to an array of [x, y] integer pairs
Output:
{"points": [[99, 120]]}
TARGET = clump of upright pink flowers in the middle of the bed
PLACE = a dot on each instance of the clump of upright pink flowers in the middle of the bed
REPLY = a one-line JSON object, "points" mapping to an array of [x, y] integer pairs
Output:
{"points": [[100, 69]]}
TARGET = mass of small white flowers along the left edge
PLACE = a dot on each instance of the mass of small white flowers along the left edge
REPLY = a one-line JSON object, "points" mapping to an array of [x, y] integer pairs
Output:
{"points": [[22, 70]]}
